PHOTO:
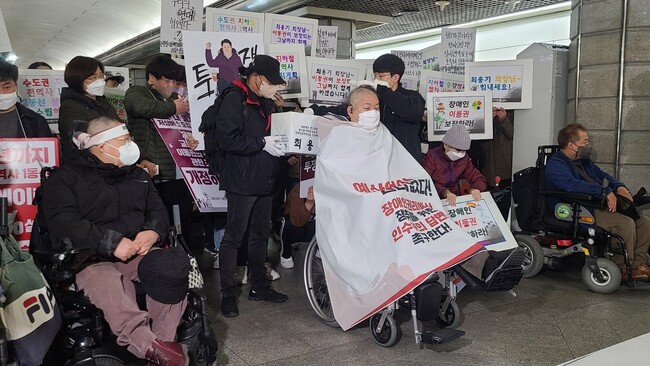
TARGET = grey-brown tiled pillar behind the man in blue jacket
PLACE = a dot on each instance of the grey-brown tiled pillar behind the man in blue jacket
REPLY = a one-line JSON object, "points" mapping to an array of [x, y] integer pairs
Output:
{"points": [[594, 92]]}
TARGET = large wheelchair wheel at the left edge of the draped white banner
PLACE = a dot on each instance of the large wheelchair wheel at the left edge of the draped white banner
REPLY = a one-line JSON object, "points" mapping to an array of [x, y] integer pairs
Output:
{"points": [[316, 286]]}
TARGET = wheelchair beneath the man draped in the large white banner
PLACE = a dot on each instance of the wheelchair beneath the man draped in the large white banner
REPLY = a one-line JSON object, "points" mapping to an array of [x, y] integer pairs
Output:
{"points": [[432, 301]]}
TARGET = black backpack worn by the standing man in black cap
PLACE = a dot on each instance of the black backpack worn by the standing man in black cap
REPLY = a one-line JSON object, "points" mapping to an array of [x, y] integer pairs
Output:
{"points": [[208, 127]]}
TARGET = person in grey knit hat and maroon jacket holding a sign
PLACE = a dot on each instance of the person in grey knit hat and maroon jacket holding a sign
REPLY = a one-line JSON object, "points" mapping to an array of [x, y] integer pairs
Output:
{"points": [[448, 163]]}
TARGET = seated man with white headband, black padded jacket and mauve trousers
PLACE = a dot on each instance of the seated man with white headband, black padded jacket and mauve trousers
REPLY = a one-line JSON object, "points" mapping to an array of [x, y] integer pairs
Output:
{"points": [[105, 206]]}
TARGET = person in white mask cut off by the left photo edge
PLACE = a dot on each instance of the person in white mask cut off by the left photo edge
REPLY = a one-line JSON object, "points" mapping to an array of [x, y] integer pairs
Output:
{"points": [[17, 120]]}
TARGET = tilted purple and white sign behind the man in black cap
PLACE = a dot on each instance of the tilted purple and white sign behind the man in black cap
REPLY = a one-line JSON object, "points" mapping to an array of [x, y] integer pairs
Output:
{"points": [[192, 164]]}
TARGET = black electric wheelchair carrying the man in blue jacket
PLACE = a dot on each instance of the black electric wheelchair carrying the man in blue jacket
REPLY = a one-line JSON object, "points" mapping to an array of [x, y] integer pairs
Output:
{"points": [[549, 237]]}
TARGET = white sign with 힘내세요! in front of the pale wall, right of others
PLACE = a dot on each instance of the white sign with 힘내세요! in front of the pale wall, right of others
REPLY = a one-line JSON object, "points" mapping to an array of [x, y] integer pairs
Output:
{"points": [[511, 82]]}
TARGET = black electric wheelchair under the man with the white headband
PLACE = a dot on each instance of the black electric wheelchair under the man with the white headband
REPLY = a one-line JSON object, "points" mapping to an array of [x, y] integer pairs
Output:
{"points": [[85, 339]]}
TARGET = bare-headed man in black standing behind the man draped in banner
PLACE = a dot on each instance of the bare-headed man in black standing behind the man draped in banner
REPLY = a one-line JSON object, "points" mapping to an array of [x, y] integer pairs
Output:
{"points": [[401, 109]]}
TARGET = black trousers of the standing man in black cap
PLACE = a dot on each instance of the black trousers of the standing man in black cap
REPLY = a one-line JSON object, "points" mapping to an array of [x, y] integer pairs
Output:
{"points": [[252, 213]]}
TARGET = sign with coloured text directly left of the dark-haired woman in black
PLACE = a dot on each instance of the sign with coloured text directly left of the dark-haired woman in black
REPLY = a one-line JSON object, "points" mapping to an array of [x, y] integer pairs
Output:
{"points": [[40, 91]]}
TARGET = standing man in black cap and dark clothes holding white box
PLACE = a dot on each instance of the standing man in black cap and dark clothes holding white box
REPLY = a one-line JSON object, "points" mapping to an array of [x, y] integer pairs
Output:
{"points": [[250, 159]]}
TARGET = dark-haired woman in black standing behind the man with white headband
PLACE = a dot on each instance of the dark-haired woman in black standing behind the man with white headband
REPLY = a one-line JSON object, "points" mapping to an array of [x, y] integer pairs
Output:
{"points": [[82, 100]]}
